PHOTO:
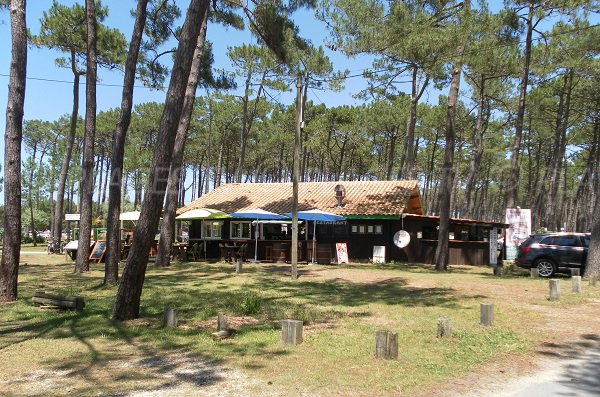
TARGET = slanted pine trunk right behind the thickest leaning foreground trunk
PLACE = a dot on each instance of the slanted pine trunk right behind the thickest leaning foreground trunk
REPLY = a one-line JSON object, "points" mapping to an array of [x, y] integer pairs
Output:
{"points": [[167, 232]]}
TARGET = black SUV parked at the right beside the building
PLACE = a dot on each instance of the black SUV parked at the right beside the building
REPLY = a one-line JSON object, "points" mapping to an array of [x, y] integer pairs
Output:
{"points": [[554, 252]]}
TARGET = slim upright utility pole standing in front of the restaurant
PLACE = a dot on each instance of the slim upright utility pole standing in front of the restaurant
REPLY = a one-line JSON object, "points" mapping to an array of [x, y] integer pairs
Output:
{"points": [[295, 172]]}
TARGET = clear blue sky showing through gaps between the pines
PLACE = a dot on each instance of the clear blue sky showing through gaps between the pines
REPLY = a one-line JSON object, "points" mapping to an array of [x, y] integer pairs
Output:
{"points": [[49, 88]]}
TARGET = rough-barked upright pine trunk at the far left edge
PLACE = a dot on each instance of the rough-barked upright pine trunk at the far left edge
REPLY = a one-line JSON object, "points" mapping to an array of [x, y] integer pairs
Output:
{"points": [[9, 267]]}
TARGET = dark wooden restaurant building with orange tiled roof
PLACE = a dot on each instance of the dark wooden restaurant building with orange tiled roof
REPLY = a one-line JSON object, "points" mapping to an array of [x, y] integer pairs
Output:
{"points": [[374, 210]]}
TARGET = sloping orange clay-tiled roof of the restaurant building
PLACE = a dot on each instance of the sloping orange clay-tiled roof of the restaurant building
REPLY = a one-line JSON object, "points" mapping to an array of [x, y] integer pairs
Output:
{"points": [[361, 197]]}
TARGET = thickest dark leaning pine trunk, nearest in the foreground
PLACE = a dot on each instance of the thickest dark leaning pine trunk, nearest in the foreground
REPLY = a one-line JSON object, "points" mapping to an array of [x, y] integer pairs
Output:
{"points": [[127, 304]]}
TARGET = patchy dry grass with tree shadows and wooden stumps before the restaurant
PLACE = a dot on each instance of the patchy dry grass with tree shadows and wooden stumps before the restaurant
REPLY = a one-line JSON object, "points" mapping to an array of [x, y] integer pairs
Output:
{"points": [[342, 308]]}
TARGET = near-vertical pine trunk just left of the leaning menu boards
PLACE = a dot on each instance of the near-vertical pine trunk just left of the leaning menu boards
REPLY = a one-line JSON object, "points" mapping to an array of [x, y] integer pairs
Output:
{"points": [[87, 166]]}
